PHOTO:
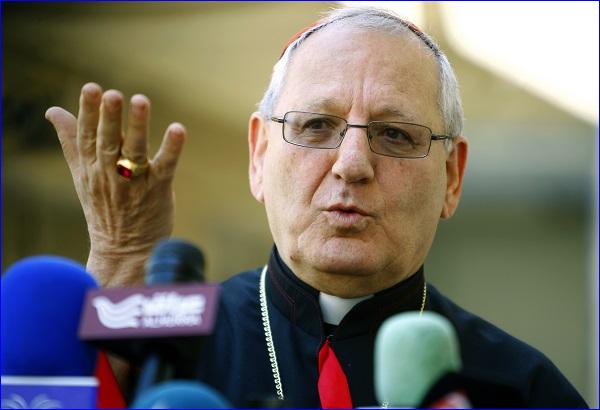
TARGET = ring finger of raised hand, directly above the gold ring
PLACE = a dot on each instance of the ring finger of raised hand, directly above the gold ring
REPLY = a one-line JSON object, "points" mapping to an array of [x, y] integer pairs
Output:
{"points": [[135, 143]]}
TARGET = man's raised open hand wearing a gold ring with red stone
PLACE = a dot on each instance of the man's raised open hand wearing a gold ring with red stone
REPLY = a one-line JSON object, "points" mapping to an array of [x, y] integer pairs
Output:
{"points": [[125, 216]]}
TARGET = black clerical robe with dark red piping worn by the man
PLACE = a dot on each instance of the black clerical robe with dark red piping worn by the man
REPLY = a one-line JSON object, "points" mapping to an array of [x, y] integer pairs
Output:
{"points": [[501, 370]]}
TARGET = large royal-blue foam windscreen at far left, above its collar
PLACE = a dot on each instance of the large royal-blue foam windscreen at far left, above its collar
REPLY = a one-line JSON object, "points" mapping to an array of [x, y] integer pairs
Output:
{"points": [[41, 302]]}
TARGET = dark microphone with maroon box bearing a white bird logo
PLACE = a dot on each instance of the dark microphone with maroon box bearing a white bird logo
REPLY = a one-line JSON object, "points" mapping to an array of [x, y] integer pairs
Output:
{"points": [[157, 327]]}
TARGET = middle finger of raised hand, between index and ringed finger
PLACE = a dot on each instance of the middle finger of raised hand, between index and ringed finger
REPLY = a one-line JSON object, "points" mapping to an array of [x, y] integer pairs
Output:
{"points": [[108, 139]]}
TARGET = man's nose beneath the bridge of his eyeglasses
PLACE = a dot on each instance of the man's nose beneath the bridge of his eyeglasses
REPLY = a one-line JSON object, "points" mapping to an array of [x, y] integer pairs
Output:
{"points": [[354, 157]]}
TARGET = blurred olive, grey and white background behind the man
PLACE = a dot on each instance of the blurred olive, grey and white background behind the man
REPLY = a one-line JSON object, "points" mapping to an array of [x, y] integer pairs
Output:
{"points": [[522, 249]]}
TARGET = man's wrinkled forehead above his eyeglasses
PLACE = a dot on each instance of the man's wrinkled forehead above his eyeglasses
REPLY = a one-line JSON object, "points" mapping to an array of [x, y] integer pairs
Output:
{"points": [[343, 69]]}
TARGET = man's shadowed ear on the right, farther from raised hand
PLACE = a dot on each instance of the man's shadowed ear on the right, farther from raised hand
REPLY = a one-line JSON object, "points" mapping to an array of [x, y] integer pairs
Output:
{"points": [[456, 162]]}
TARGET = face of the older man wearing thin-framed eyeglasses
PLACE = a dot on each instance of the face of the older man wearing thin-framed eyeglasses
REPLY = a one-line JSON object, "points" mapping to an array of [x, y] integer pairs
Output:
{"points": [[346, 220]]}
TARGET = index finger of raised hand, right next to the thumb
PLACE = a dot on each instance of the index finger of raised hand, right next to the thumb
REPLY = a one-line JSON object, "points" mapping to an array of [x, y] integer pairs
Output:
{"points": [[87, 121]]}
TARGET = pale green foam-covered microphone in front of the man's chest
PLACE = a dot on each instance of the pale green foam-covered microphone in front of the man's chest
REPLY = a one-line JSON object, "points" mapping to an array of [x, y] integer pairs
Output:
{"points": [[417, 360]]}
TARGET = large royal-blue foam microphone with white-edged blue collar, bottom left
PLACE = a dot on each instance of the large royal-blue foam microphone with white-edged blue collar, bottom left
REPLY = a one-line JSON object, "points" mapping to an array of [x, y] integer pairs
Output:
{"points": [[43, 362]]}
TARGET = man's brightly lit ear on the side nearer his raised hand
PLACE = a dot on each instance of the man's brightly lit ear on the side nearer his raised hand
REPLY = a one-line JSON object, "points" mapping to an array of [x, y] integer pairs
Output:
{"points": [[257, 147]]}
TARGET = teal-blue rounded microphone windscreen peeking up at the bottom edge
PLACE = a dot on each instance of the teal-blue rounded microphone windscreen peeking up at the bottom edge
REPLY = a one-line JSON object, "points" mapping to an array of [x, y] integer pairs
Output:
{"points": [[181, 394]]}
